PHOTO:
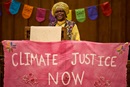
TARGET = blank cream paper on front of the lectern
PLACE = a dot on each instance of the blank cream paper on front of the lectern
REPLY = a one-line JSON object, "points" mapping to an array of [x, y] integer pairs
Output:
{"points": [[45, 33]]}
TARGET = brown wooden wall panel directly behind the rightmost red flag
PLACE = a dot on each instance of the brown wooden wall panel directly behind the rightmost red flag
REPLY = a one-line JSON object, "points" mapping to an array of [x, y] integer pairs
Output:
{"points": [[104, 25]]}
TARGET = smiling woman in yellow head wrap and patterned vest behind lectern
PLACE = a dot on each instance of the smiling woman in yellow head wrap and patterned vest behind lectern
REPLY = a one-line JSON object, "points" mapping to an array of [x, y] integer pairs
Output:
{"points": [[60, 11]]}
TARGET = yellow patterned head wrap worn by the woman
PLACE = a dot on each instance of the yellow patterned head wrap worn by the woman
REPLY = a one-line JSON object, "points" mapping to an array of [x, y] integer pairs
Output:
{"points": [[61, 5]]}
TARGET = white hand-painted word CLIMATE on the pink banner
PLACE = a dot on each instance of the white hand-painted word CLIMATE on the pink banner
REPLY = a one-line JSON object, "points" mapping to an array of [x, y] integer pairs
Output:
{"points": [[29, 59]]}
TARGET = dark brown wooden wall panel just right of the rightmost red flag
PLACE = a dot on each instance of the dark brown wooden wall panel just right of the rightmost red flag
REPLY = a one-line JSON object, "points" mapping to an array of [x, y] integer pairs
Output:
{"points": [[117, 21]]}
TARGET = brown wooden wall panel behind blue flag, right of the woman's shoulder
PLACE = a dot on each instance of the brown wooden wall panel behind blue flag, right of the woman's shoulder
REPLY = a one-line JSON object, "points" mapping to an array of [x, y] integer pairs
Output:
{"points": [[88, 29]]}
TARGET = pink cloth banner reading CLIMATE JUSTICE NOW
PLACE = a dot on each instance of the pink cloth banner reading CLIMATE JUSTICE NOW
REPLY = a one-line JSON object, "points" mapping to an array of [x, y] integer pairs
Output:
{"points": [[65, 64]]}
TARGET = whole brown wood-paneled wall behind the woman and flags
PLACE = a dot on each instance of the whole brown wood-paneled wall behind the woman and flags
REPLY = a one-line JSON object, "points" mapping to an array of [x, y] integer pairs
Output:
{"points": [[114, 28]]}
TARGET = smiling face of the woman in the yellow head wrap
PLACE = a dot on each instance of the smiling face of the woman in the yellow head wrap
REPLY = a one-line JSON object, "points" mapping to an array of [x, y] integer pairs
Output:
{"points": [[60, 14]]}
